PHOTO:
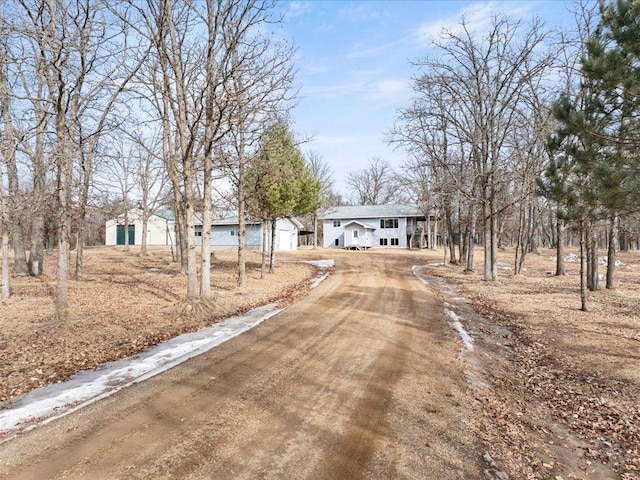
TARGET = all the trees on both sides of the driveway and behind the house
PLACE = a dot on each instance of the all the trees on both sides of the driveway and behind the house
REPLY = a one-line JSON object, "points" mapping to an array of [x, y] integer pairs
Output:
{"points": [[518, 136]]}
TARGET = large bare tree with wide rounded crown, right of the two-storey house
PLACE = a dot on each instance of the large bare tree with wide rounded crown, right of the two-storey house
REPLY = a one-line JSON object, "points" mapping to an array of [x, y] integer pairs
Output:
{"points": [[483, 84]]}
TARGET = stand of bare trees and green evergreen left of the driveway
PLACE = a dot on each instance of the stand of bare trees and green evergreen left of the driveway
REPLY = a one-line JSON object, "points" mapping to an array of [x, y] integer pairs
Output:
{"points": [[164, 98]]}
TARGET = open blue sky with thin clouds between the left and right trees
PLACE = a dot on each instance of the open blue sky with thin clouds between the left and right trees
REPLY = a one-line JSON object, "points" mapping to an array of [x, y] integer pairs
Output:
{"points": [[354, 66]]}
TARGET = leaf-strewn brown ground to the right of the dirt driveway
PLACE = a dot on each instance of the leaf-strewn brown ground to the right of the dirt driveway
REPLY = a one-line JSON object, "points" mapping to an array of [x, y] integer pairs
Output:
{"points": [[563, 396]]}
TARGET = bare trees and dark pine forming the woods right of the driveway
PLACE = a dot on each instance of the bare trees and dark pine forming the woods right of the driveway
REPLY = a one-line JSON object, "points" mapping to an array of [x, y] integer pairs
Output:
{"points": [[521, 135]]}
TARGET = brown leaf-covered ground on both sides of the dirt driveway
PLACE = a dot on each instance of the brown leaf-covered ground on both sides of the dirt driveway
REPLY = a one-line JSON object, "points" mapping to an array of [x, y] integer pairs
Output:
{"points": [[559, 395]]}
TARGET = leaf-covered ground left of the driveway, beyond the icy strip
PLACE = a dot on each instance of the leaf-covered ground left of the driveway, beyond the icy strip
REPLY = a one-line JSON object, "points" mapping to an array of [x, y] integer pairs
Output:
{"points": [[125, 303]]}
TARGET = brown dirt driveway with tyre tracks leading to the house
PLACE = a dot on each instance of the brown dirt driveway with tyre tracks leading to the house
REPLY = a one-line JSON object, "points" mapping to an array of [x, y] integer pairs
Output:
{"points": [[360, 379]]}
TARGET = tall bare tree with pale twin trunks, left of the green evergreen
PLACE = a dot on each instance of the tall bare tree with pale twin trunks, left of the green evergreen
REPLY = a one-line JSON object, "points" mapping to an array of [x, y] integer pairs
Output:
{"points": [[190, 84]]}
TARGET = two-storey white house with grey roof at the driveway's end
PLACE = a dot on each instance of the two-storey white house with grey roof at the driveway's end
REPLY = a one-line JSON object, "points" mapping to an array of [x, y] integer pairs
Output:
{"points": [[368, 226]]}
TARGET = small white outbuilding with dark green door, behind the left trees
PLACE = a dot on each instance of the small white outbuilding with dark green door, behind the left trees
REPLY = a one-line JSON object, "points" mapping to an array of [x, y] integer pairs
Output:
{"points": [[160, 229]]}
